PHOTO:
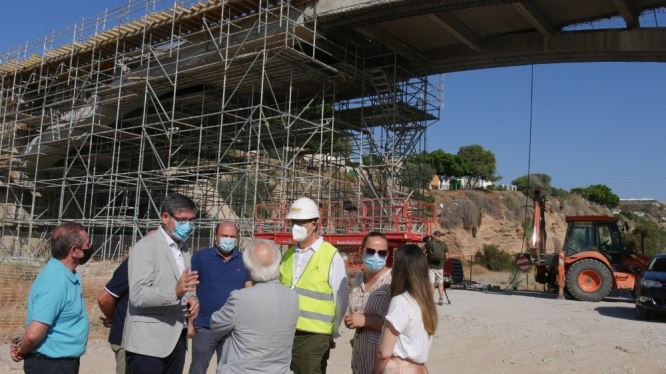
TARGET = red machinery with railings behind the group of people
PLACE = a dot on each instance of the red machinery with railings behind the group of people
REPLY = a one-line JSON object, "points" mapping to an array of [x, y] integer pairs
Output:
{"points": [[344, 224]]}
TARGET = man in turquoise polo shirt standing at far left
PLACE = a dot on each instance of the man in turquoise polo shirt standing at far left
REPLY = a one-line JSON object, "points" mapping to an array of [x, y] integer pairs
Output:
{"points": [[56, 320]]}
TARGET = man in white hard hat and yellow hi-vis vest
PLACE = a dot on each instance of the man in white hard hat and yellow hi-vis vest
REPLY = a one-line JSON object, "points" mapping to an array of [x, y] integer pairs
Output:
{"points": [[316, 271]]}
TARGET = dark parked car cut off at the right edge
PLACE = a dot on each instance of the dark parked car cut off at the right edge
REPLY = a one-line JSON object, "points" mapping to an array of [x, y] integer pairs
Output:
{"points": [[651, 291]]}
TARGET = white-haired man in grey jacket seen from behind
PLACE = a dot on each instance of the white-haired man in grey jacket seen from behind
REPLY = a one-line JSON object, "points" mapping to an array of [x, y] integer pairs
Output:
{"points": [[259, 322]]}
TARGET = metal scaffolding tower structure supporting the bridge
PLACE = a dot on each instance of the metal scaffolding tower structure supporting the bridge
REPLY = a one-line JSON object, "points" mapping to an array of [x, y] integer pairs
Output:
{"points": [[237, 104]]}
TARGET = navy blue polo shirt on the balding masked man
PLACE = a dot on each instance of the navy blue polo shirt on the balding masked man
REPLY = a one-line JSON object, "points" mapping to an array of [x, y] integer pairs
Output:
{"points": [[217, 278]]}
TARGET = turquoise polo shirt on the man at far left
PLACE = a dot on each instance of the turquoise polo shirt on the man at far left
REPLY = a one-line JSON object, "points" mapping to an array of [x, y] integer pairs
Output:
{"points": [[56, 300]]}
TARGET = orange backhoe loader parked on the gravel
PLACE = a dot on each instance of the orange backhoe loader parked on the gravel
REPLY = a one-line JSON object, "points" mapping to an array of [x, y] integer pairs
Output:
{"points": [[593, 261]]}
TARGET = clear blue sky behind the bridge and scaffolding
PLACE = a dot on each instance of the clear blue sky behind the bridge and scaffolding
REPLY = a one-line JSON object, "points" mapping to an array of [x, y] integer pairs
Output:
{"points": [[593, 123]]}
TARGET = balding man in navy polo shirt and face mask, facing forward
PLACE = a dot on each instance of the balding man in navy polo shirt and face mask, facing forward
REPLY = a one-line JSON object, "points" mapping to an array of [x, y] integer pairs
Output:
{"points": [[221, 270]]}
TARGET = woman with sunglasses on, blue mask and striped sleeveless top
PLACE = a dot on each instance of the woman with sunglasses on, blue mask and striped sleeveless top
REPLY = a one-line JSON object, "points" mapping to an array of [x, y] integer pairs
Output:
{"points": [[368, 303]]}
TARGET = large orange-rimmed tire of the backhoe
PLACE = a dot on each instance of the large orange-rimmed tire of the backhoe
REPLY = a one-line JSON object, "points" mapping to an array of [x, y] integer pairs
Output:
{"points": [[589, 280]]}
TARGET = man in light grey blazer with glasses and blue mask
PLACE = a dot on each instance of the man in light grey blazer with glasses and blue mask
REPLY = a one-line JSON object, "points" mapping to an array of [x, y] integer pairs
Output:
{"points": [[161, 293]]}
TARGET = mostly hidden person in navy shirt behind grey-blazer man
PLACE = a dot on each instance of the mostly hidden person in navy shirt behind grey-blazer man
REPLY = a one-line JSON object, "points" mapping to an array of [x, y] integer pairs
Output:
{"points": [[112, 302]]}
